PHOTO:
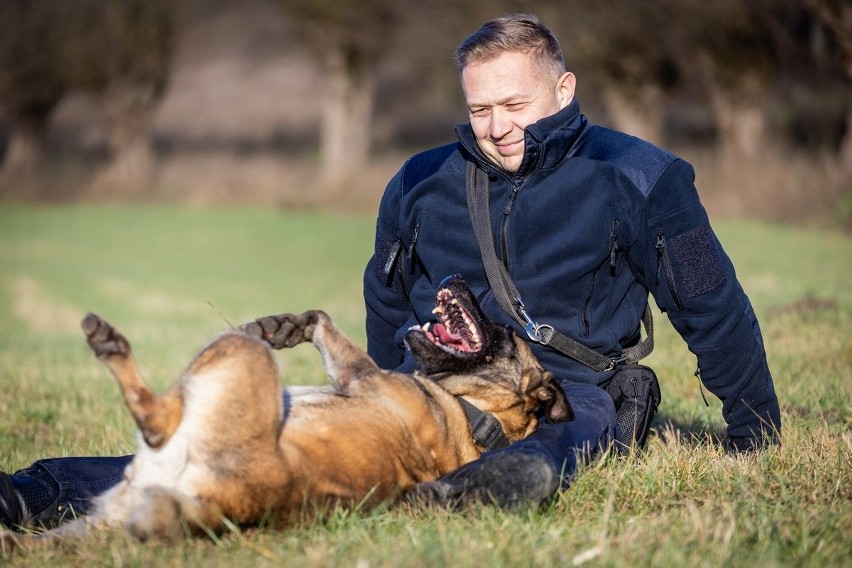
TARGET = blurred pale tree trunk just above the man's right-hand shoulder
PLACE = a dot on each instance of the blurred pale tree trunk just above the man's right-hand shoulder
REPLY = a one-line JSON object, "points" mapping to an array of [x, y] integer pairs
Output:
{"points": [[640, 113]]}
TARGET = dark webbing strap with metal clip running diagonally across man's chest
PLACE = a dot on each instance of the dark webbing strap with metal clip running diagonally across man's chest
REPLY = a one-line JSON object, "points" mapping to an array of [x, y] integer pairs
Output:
{"points": [[510, 299]]}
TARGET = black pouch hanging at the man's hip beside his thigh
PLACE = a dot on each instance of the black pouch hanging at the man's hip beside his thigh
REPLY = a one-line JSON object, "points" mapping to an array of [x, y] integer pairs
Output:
{"points": [[636, 393]]}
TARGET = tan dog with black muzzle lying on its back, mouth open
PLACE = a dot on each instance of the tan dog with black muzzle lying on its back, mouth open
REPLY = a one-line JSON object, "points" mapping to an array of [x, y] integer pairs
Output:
{"points": [[225, 445]]}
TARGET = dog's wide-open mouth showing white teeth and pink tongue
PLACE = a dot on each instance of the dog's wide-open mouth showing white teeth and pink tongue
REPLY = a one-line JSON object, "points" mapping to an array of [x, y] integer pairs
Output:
{"points": [[456, 329]]}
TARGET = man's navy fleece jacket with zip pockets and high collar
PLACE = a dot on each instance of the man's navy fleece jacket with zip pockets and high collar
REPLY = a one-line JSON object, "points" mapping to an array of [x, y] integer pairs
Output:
{"points": [[592, 222]]}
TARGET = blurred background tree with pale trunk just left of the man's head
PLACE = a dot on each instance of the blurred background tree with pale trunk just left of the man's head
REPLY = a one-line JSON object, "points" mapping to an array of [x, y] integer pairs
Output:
{"points": [[352, 40]]}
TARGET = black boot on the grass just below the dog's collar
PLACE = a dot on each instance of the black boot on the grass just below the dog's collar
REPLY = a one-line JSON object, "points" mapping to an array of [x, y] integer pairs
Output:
{"points": [[511, 480]]}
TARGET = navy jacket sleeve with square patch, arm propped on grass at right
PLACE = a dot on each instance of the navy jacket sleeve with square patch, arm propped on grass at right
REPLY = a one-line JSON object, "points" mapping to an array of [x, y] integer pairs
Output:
{"points": [[694, 282]]}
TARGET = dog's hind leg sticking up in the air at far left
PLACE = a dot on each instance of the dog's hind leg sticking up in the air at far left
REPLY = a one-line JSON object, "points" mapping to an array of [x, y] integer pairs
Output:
{"points": [[157, 416]]}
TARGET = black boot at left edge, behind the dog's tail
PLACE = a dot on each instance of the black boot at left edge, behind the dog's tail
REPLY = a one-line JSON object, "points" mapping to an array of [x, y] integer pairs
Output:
{"points": [[29, 499]]}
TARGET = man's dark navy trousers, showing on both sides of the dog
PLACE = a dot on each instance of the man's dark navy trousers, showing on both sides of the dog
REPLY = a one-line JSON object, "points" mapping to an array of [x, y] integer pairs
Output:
{"points": [[566, 444]]}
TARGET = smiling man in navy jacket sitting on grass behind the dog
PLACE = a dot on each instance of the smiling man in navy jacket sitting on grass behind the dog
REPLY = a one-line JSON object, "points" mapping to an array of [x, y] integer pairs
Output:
{"points": [[586, 221]]}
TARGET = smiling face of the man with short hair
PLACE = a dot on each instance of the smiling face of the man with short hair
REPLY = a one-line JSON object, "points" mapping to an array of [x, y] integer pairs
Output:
{"points": [[506, 94]]}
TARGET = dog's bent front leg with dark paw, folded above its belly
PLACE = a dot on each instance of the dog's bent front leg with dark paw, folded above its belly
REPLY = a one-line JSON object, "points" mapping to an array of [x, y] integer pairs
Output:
{"points": [[344, 361]]}
